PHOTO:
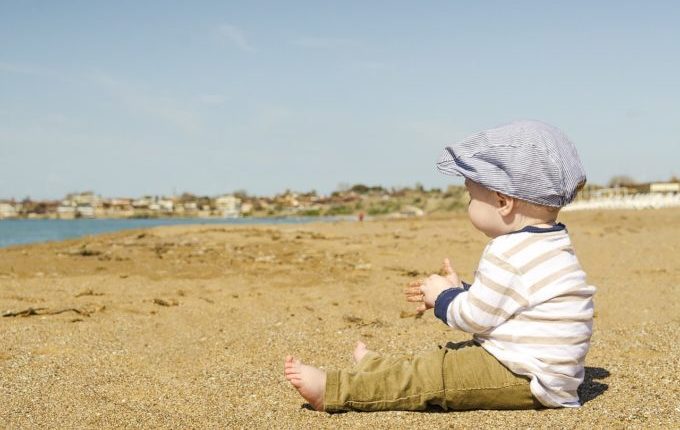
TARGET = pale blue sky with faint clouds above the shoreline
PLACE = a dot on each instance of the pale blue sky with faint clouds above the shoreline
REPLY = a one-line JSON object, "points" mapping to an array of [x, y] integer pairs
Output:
{"points": [[151, 97]]}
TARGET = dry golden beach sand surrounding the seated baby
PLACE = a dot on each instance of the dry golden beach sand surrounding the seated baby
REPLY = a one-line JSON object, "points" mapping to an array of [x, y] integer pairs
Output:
{"points": [[185, 327]]}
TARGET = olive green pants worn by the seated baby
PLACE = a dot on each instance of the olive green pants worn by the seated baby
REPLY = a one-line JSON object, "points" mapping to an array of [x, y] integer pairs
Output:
{"points": [[458, 376]]}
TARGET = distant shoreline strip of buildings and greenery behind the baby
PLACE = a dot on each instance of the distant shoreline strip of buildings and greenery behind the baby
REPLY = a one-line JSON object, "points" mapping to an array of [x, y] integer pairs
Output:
{"points": [[372, 201]]}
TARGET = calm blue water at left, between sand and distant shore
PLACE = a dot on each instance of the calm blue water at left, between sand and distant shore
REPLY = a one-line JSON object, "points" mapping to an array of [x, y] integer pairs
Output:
{"points": [[13, 232]]}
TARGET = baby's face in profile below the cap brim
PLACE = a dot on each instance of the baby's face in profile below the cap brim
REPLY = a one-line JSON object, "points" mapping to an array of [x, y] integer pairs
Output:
{"points": [[483, 210]]}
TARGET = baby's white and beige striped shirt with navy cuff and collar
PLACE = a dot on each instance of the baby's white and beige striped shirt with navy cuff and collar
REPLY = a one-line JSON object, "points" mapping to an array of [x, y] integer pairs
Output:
{"points": [[530, 307]]}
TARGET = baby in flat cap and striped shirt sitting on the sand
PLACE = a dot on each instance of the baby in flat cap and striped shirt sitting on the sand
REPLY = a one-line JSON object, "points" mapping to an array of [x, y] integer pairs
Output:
{"points": [[529, 308]]}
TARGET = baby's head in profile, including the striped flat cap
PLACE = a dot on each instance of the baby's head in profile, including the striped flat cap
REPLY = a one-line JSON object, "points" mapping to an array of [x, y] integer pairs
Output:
{"points": [[518, 174]]}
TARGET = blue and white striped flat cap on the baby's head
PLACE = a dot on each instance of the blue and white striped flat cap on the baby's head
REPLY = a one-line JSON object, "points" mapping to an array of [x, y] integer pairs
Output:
{"points": [[529, 160]]}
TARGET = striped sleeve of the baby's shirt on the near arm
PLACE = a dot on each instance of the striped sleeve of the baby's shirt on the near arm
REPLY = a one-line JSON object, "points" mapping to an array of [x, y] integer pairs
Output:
{"points": [[495, 295]]}
